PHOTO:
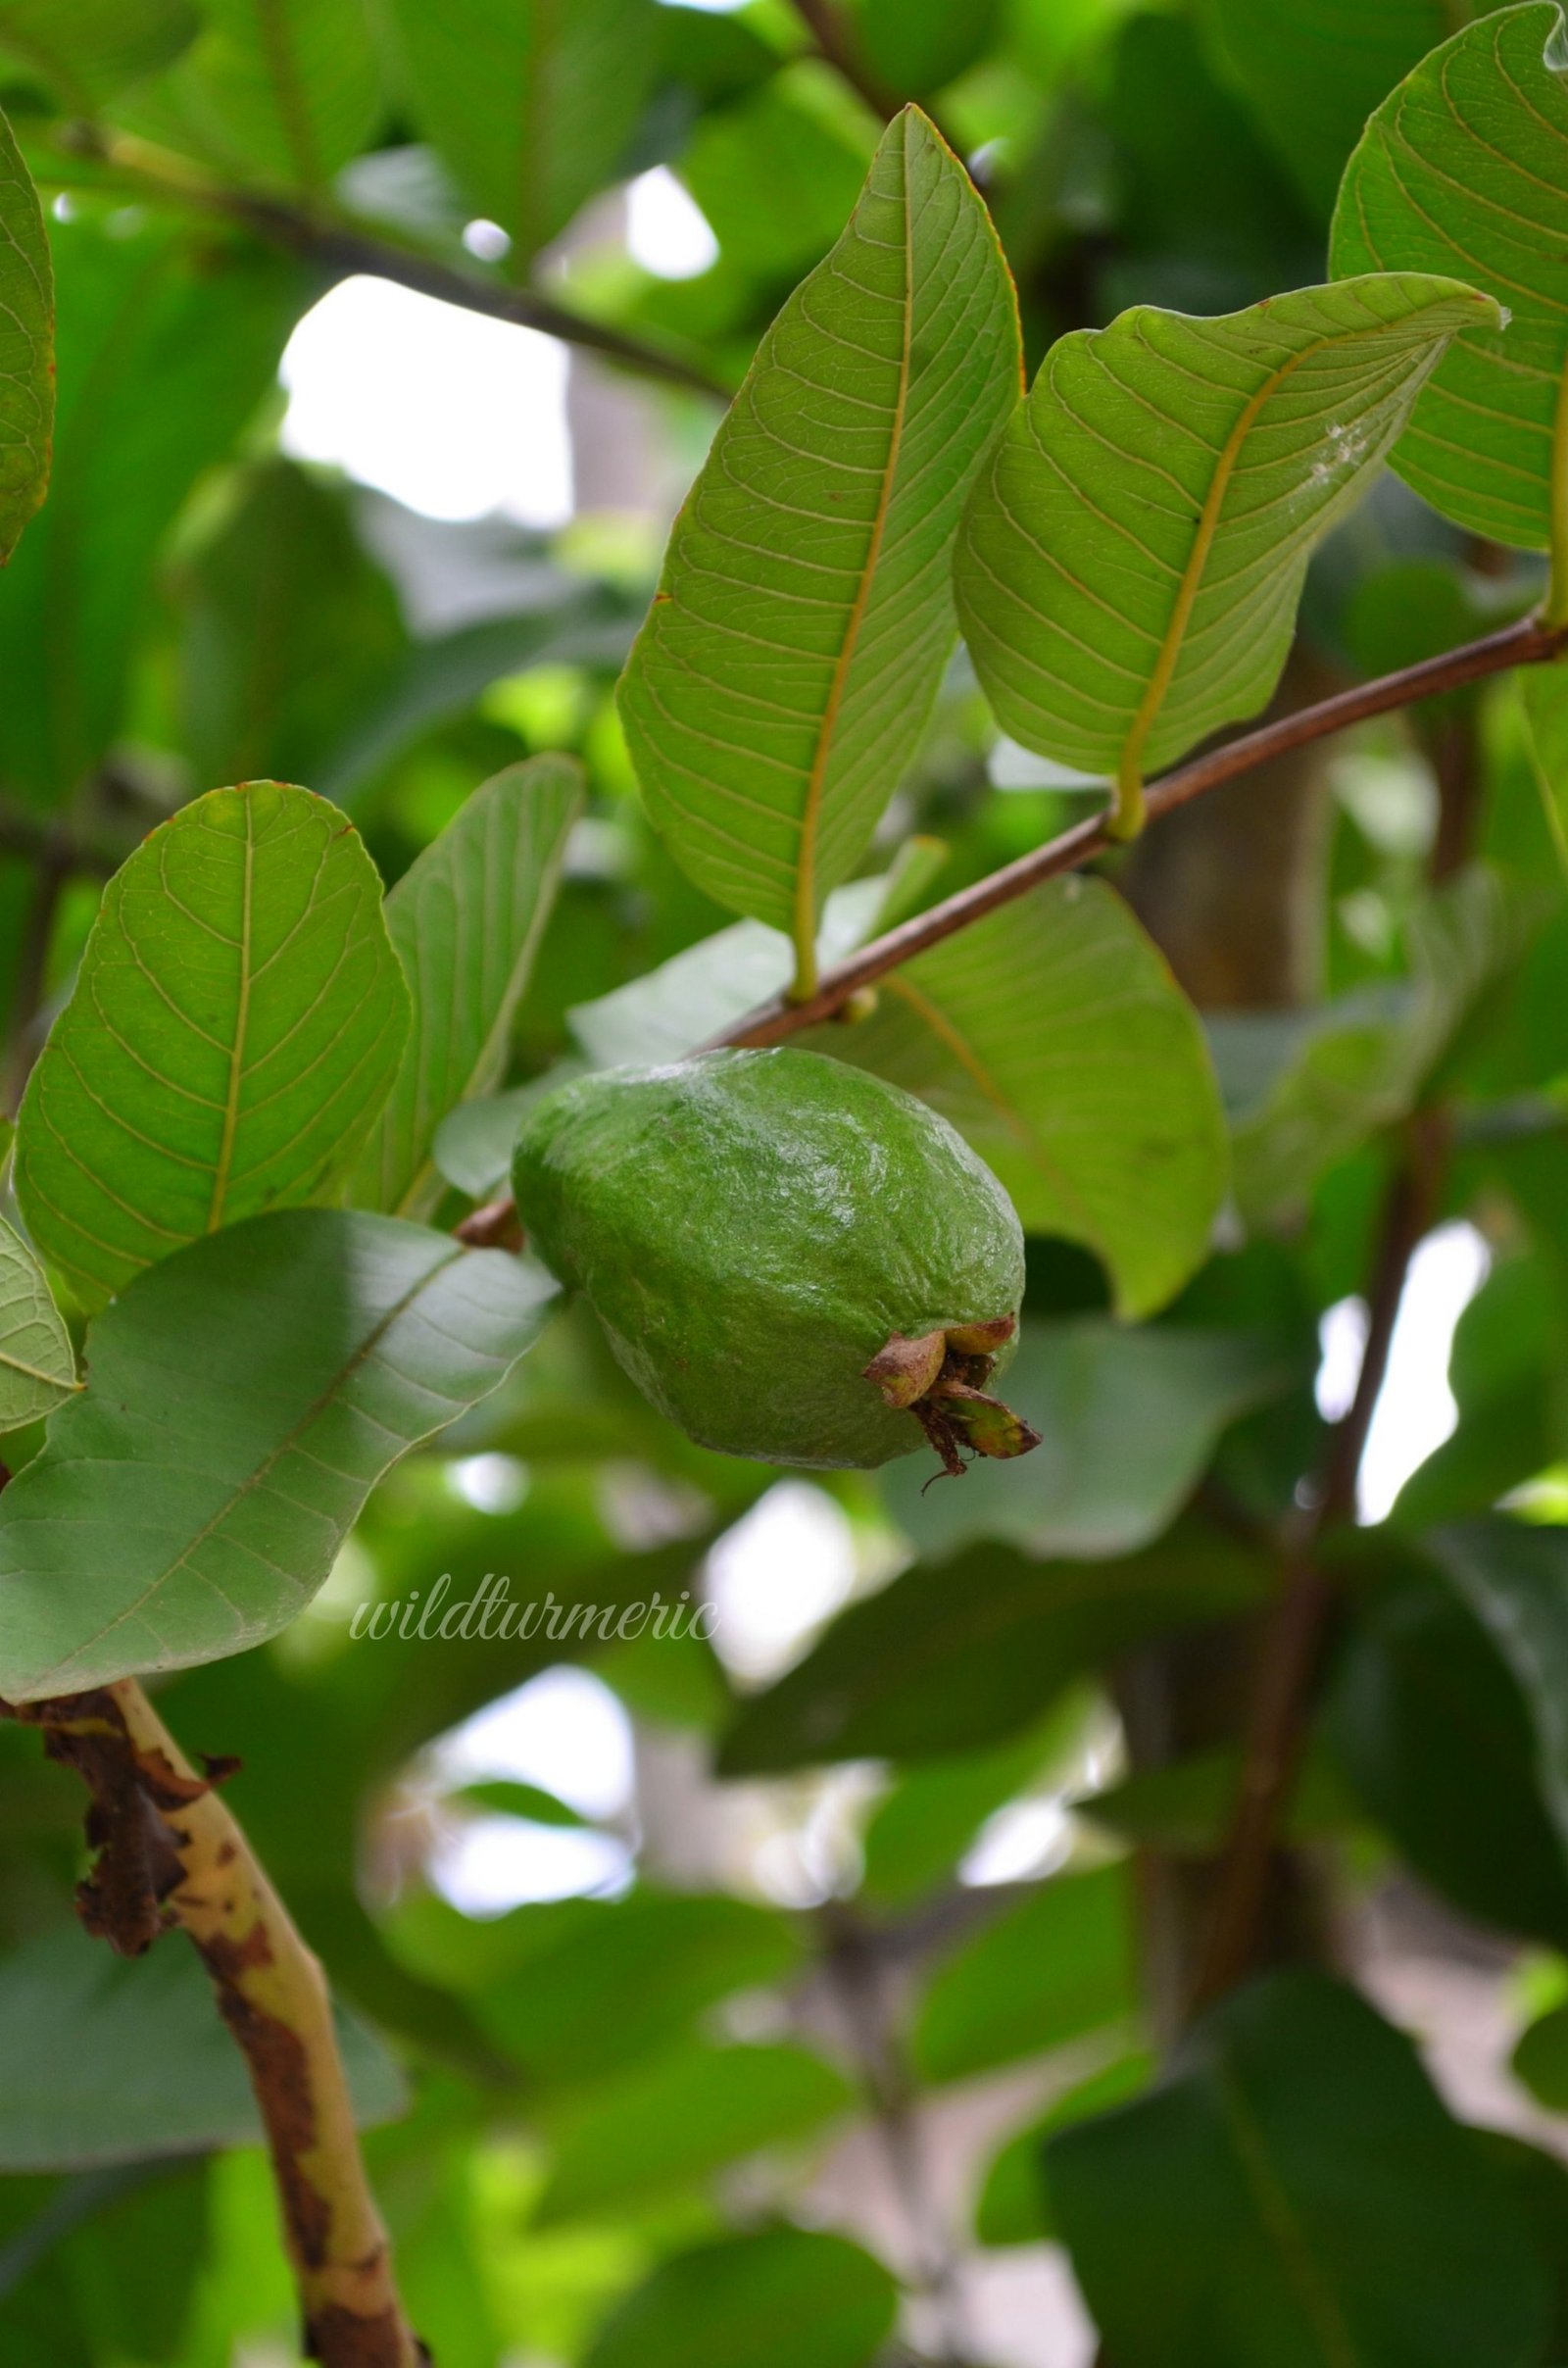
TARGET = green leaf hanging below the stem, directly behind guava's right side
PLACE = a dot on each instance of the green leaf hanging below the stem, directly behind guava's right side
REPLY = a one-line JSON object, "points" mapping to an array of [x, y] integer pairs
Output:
{"points": [[1058, 1043]]}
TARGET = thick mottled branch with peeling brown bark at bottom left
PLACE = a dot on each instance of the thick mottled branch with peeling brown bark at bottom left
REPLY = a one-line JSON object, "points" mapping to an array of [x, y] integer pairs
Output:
{"points": [[172, 1858]]}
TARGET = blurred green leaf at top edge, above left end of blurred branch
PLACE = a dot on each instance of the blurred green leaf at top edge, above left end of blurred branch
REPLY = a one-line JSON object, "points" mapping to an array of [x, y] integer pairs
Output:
{"points": [[276, 91]]}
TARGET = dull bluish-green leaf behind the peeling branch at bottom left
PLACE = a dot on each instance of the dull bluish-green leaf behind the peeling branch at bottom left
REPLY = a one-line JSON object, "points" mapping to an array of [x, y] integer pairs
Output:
{"points": [[110, 2061]]}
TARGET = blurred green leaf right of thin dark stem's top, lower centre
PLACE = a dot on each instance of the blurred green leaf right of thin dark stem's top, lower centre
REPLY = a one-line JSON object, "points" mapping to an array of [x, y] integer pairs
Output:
{"points": [[1050, 1971]]}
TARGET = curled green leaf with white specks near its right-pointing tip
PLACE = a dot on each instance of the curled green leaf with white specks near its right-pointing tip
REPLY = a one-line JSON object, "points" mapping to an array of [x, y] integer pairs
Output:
{"points": [[1136, 548]]}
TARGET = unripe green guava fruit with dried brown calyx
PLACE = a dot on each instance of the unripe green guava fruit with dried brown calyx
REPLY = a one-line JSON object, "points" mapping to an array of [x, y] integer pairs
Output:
{"points": [[792, 1259]]}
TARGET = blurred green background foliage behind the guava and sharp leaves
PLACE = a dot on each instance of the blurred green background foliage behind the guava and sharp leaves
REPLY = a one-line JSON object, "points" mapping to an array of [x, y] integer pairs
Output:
{"points": [[757, 1997]]}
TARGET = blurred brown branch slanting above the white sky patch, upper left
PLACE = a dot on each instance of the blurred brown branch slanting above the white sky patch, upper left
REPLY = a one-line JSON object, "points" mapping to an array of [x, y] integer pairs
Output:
{"points": [[342, 250]]}
